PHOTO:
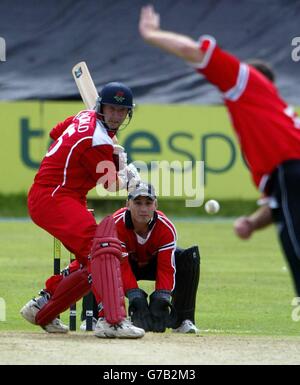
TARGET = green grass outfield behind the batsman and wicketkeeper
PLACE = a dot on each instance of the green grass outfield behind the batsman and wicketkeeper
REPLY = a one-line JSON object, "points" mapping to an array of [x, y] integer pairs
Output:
{"points": [[243, 290]]}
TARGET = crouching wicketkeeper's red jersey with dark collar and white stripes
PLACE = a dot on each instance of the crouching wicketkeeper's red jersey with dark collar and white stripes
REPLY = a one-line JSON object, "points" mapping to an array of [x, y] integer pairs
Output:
{"points": [[160, 244]]}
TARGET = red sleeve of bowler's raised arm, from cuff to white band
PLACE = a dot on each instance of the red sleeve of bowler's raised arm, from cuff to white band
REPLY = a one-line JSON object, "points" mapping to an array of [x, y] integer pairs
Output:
{"points": [[219, 67]]}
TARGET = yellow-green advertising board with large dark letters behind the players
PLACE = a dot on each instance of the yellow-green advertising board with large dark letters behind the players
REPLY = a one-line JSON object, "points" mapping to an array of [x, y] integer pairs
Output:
{"points": [[174, 135]]}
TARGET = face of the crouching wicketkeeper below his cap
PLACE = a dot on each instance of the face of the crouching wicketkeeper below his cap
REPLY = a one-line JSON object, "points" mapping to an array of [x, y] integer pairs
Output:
{"points": [[142, 209]]}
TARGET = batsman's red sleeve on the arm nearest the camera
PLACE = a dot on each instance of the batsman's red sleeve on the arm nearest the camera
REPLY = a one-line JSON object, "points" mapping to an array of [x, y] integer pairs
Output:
{"points": [[98, 162]]}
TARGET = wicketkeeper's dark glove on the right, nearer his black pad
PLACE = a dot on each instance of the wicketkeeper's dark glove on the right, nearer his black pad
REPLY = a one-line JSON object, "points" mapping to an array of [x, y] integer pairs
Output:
{"points": [[162, 311]]}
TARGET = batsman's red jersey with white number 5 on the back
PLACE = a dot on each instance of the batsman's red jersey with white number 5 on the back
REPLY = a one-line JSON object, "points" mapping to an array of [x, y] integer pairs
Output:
{"points": [[70, 166]]}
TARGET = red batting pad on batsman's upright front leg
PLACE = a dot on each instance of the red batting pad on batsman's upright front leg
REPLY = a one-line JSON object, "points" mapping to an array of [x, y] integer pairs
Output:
{"points": [[106, 271]]}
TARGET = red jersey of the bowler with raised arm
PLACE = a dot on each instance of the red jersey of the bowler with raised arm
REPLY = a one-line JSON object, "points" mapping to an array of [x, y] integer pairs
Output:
{"points": [[268, 130]]}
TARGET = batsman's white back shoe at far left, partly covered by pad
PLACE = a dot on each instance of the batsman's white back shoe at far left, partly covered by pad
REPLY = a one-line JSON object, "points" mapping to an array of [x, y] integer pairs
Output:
{"points": [[30, 310]]}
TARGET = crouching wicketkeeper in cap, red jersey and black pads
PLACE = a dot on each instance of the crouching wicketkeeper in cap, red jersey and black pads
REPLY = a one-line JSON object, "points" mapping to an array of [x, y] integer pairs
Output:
{"points": [[149, 250]]}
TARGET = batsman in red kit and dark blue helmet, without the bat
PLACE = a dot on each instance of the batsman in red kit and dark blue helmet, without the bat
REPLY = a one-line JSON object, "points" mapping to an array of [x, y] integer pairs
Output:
{"points": [[81, 156]]}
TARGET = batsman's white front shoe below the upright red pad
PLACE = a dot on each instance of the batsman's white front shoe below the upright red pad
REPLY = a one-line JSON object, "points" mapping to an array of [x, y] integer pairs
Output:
{"points": [[125, 329]]}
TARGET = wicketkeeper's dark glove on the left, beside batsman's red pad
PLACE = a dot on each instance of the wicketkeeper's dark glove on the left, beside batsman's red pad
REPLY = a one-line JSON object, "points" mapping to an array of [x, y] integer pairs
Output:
{"points": [[138, 309]]}
